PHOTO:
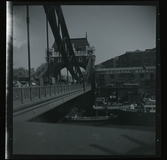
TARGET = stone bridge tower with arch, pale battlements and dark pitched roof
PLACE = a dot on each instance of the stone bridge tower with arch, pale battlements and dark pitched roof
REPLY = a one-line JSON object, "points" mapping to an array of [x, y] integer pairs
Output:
{"points": [[85, 56]]}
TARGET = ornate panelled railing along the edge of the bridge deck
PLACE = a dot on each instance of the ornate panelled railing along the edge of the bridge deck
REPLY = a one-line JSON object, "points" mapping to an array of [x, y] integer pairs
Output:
{"points": [[25, 95]]}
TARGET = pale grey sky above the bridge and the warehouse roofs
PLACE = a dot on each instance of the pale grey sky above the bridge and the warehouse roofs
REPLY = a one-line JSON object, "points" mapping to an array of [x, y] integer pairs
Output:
{"points": [[111, 29]]}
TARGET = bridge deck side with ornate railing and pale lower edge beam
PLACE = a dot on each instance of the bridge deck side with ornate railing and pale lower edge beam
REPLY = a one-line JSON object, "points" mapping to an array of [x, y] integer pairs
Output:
{"points": [[29, 102]]}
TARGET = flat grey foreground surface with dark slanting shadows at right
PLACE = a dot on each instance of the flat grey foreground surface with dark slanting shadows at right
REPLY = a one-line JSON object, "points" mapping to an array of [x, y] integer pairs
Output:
{"points": [[34, 138]]}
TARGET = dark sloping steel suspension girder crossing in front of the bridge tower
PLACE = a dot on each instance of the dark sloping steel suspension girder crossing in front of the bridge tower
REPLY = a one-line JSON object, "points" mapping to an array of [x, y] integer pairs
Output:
{"points": [[50, 12]]}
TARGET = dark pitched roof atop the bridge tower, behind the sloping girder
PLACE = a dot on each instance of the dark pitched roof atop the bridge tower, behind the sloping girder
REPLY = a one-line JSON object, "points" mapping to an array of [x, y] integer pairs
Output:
{"points": [[79, 44]]}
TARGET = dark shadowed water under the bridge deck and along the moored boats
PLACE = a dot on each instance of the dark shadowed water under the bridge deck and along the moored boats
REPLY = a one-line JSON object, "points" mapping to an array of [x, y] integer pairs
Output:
{"points": [[55, 116]]}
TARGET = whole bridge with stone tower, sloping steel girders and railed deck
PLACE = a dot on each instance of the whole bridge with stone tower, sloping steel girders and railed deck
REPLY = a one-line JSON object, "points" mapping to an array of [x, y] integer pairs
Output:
{"points": [[29, 102]]}
